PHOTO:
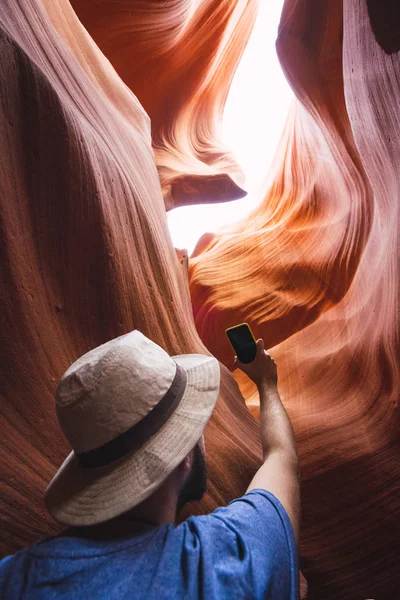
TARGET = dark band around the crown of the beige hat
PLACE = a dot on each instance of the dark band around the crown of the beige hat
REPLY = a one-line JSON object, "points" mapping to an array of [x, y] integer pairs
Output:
{"points": [[133, 438]]}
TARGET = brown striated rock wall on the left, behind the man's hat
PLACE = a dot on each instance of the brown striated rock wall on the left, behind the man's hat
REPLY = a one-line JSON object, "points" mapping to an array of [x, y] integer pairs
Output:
{"points": [[85, 254]]}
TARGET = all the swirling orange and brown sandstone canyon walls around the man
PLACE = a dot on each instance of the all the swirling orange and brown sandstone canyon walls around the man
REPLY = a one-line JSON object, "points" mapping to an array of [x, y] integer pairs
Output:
{"points": [[86, 255]]}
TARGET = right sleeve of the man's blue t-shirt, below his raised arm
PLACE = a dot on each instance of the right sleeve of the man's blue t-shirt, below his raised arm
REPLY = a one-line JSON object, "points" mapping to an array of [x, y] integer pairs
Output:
{"points": [[250, 548]]}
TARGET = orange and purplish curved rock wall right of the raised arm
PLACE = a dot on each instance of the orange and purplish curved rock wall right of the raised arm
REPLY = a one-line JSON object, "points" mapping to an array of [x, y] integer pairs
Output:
{"points": [[314, 270]]}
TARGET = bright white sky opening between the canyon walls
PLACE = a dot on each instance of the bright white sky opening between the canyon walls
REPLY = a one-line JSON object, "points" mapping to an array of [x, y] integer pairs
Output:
{"points": [[254, 117]]}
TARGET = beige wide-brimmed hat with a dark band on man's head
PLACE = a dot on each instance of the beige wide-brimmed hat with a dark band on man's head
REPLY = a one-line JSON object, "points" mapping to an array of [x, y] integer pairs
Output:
{"points": [[131, 414]]}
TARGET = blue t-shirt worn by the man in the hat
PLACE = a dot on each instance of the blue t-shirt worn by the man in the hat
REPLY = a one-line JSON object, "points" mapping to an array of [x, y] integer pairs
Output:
{"points": [[245, 550]]}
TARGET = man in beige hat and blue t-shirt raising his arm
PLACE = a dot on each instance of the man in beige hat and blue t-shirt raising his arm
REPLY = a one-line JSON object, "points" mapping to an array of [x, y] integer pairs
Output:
{"points": [[134, 417]]}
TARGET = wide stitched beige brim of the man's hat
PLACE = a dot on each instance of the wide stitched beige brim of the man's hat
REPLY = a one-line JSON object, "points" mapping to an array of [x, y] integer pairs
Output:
{"points": [[80, 496]]}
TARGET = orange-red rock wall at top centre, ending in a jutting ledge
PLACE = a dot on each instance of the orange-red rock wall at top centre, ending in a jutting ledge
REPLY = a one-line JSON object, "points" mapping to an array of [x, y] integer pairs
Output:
{"points": [[179, 58]]}
